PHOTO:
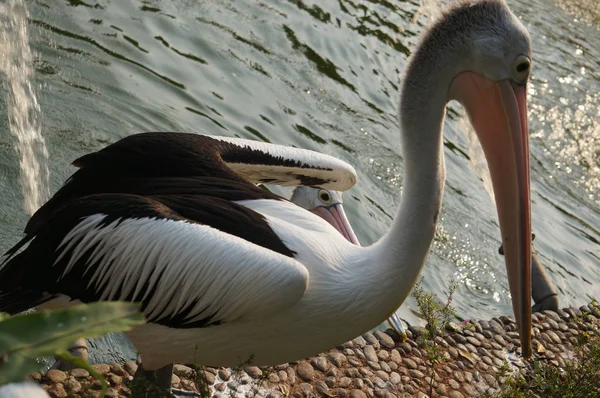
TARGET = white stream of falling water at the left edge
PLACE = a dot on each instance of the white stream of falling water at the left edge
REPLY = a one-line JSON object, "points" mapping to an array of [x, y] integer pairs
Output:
{"points": [[24, 114]]}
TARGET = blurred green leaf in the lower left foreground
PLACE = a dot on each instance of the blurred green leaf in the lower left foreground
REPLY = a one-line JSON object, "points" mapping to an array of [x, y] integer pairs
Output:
{"points": [[46, 333]]}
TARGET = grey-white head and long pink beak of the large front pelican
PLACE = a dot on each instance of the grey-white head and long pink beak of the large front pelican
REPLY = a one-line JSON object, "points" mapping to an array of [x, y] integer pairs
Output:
{"points": [[485, 57]]}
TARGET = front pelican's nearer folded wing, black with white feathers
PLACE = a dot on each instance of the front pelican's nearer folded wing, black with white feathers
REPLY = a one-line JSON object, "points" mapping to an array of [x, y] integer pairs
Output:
{"points": [[169, 253]]}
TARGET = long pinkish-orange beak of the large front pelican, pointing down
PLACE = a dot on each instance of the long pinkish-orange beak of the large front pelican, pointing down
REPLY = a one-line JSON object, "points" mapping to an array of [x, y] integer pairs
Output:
{"points": [[498, 112]]}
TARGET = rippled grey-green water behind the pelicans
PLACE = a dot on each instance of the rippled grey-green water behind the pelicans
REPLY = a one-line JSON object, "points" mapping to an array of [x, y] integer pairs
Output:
{"points": [[324, 76]]}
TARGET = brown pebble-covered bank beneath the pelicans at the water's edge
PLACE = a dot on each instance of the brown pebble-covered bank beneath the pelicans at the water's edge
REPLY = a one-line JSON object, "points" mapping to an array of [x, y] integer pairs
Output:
{"points": [[375, 364]]}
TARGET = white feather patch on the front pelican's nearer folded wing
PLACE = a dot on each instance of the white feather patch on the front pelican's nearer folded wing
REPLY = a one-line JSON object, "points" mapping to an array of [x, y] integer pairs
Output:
{"points": [[220, 275]]}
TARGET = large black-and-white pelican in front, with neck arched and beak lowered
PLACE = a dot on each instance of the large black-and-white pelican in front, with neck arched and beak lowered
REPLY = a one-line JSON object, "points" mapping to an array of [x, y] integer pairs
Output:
{"points": [[227, 272]]}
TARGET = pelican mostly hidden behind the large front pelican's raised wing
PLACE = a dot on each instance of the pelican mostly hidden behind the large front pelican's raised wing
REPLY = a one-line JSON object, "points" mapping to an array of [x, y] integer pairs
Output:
{"points": [[328, 205]]}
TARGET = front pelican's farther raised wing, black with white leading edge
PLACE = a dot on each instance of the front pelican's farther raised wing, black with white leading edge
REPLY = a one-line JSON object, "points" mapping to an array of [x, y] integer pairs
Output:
{"points": [[178, 155]]}
